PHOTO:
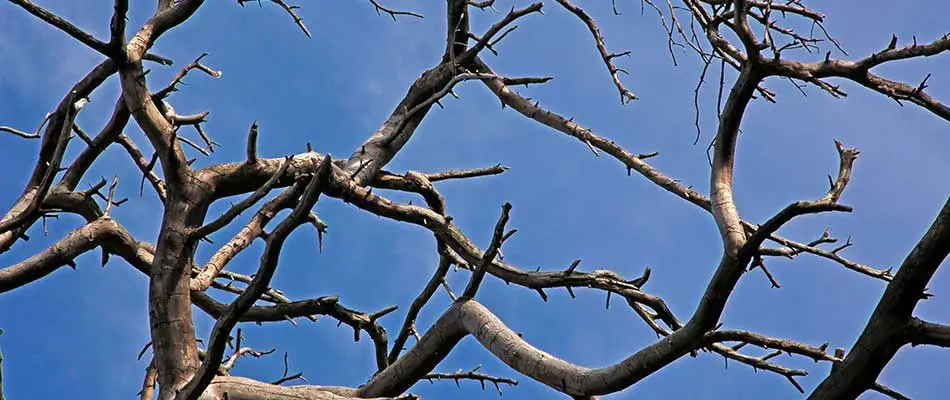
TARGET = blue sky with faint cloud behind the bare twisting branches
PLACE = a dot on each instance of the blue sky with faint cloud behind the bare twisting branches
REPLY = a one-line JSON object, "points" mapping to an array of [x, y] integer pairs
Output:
{"points": [[78, 332]]}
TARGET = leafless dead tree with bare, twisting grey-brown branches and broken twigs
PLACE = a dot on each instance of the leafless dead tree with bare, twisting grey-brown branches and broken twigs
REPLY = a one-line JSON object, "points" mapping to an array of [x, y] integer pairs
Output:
{"points": [[747, 37]]}
